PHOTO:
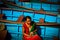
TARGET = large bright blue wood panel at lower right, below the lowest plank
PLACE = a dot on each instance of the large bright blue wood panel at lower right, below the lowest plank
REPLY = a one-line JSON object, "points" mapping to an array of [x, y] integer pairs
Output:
{"points": [[51, 32]]}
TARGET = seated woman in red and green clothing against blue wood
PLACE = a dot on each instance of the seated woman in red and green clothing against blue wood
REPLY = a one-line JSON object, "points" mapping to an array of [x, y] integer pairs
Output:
{"points": [[29, 30]]}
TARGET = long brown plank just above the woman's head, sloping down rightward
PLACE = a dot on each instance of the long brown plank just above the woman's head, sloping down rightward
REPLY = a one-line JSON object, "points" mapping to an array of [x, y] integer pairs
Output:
{"points": [[38, 12]]}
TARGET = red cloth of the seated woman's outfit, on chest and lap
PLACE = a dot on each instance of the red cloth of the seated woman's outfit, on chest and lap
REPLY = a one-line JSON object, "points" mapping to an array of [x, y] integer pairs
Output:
{"points": [[35, 37]]}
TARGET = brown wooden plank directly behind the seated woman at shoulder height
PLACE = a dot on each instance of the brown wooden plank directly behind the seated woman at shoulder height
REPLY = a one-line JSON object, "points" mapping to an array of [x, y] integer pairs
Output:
{"points": [[43, 24]]}
